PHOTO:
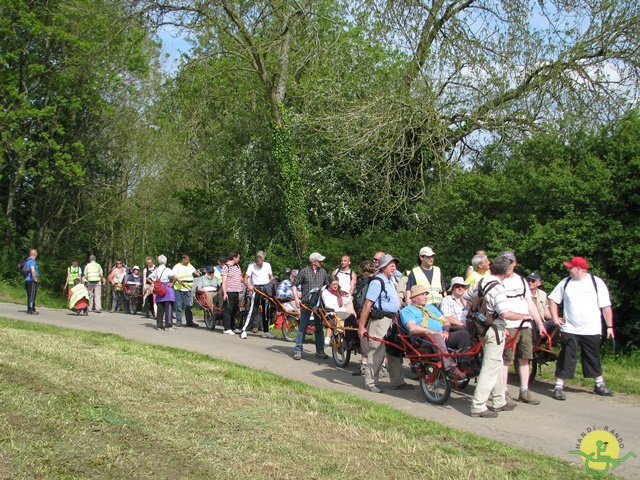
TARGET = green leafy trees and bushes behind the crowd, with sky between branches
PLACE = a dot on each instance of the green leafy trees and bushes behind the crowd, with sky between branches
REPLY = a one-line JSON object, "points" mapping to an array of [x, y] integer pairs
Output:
{"points": [[336, 126]]}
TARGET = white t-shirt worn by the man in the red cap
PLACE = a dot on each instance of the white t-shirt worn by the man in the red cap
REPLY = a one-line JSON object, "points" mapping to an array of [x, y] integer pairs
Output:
{"points": [[582, 305]]}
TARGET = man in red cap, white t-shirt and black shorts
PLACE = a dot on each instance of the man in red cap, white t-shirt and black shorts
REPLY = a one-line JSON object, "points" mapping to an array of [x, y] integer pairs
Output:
{"points": [[585, 300]]}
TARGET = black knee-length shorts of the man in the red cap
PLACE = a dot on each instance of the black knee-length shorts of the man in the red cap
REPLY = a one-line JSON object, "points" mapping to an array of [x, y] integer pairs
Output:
{"points": [[589, 346]]}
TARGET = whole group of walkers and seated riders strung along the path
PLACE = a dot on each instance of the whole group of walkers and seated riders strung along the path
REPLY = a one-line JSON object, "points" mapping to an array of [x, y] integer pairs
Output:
{"points": [[418, 298]]}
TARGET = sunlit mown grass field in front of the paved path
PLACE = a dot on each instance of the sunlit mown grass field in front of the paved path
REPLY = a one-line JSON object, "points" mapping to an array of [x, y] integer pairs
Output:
{"points": [[87, 405]]}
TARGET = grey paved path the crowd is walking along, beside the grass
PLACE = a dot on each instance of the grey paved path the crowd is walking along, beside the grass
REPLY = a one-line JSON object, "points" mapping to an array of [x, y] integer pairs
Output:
{"points": [[551, 428]]}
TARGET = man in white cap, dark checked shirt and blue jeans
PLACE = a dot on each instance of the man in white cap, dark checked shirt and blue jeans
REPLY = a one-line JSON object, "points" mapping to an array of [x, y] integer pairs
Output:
{"points": [[309, 279]]}
